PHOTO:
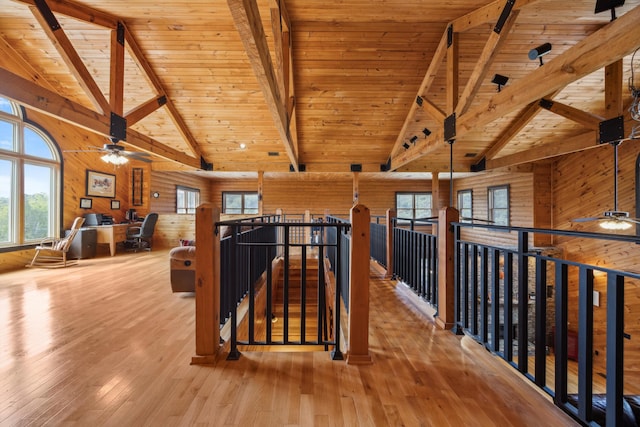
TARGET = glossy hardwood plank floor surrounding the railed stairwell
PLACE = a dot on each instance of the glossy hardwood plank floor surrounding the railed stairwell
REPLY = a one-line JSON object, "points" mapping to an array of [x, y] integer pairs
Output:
{"points": [[107, 343]]}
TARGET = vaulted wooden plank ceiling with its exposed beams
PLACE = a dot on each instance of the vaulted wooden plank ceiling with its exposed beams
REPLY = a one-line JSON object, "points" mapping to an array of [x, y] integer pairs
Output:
{"points": [[319, 86]]}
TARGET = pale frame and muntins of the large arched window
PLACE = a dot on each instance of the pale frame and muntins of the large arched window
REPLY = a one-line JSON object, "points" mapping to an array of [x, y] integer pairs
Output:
{"points": [[19, 161]]}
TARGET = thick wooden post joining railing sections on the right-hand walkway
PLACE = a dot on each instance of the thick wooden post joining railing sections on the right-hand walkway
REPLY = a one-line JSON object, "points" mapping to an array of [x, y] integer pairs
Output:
{"points": [[445, 318]]}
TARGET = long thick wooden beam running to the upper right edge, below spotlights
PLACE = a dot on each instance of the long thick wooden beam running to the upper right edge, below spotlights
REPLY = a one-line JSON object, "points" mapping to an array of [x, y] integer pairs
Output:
{"points": [[590, 54]]}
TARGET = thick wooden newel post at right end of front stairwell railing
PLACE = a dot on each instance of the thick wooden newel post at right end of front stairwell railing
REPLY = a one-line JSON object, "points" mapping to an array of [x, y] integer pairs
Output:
{"points": [[358, 340]]}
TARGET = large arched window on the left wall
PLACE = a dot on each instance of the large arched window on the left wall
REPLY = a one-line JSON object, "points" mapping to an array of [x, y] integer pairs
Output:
{"points": [[29, 180]]}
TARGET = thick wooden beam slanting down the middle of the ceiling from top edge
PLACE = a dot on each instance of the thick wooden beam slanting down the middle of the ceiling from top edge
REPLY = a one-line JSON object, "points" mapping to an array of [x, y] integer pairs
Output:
{"points": [[247, 20]]}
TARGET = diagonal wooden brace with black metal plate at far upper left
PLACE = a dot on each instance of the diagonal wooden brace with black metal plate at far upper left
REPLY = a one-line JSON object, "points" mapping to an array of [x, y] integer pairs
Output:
{"points": [[63, 45]]}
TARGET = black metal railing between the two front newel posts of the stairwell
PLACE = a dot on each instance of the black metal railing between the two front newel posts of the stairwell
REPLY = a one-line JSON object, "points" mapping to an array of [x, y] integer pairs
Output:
{"points": [[251, 255]]}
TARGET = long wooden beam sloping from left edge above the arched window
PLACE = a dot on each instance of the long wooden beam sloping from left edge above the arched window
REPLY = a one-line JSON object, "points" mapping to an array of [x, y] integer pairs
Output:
{"points": [[48, 102]]}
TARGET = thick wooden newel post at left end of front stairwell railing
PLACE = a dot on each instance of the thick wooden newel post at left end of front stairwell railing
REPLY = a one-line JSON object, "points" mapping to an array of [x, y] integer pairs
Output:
{"points": [[207, 284]]}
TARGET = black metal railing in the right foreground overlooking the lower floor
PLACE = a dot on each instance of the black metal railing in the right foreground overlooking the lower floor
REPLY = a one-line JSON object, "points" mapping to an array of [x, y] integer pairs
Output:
{"points": [[515, 301]]}
